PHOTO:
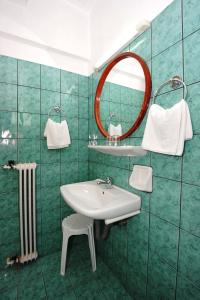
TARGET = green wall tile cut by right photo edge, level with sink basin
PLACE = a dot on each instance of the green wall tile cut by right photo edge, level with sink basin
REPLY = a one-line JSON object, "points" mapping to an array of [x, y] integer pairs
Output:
{"points": [[190, 208]]}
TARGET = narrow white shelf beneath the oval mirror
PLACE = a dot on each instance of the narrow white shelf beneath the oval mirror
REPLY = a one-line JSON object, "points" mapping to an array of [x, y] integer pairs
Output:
{"points": [[120, 150]]}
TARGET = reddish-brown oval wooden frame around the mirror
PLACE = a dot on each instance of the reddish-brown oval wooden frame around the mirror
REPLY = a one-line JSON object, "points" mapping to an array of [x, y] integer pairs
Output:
{"points": [[147, 93]]}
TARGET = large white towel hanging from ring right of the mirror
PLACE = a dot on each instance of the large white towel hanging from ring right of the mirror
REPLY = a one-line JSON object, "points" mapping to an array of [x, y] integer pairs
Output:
{"points": [[167, 129]]}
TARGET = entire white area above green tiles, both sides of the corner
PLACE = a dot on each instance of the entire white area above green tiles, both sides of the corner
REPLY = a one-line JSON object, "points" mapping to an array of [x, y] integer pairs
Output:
{"points": [[71, 34]]}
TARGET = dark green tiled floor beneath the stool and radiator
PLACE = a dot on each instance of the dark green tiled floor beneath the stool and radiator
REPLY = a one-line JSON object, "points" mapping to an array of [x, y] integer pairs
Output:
{"points": [[41, 280]]}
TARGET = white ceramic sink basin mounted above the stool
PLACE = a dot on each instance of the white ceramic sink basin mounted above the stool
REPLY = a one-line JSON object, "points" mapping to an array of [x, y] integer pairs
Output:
{"points": [[98, 202]]}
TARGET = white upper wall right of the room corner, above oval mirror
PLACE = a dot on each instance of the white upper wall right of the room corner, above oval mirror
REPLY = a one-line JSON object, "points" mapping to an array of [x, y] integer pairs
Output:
{"points": [[115, 23]]}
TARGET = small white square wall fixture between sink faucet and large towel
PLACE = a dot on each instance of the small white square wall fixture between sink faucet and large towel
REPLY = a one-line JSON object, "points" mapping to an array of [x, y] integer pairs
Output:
{"points": [[141, 178]]}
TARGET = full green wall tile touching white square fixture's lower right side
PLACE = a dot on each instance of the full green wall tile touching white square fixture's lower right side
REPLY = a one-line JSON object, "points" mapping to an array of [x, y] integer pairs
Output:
{"points": [[165, 199]]}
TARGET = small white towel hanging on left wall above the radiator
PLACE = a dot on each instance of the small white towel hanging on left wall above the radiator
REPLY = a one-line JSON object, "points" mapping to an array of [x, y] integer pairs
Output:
{"points": [[57, 134]]}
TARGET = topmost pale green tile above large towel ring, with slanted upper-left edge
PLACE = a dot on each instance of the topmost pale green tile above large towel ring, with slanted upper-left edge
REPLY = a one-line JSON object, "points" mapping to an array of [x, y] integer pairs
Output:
{"points": [[170, 21]]}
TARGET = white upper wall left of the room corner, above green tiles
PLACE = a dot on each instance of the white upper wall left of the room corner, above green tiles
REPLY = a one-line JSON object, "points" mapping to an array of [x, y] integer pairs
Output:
{"points": [[45, 31]]}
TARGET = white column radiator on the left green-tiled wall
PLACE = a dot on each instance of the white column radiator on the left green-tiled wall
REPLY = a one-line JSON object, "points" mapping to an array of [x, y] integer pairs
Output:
{"points": [[27, 211]]}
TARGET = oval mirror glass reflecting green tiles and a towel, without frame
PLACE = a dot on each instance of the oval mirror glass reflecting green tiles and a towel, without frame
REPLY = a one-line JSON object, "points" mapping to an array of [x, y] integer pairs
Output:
{"points": [[122, 96]]}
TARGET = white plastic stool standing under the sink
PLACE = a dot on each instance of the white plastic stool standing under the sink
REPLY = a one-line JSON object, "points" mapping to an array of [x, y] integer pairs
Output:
{"points": [[77, 224]]}
